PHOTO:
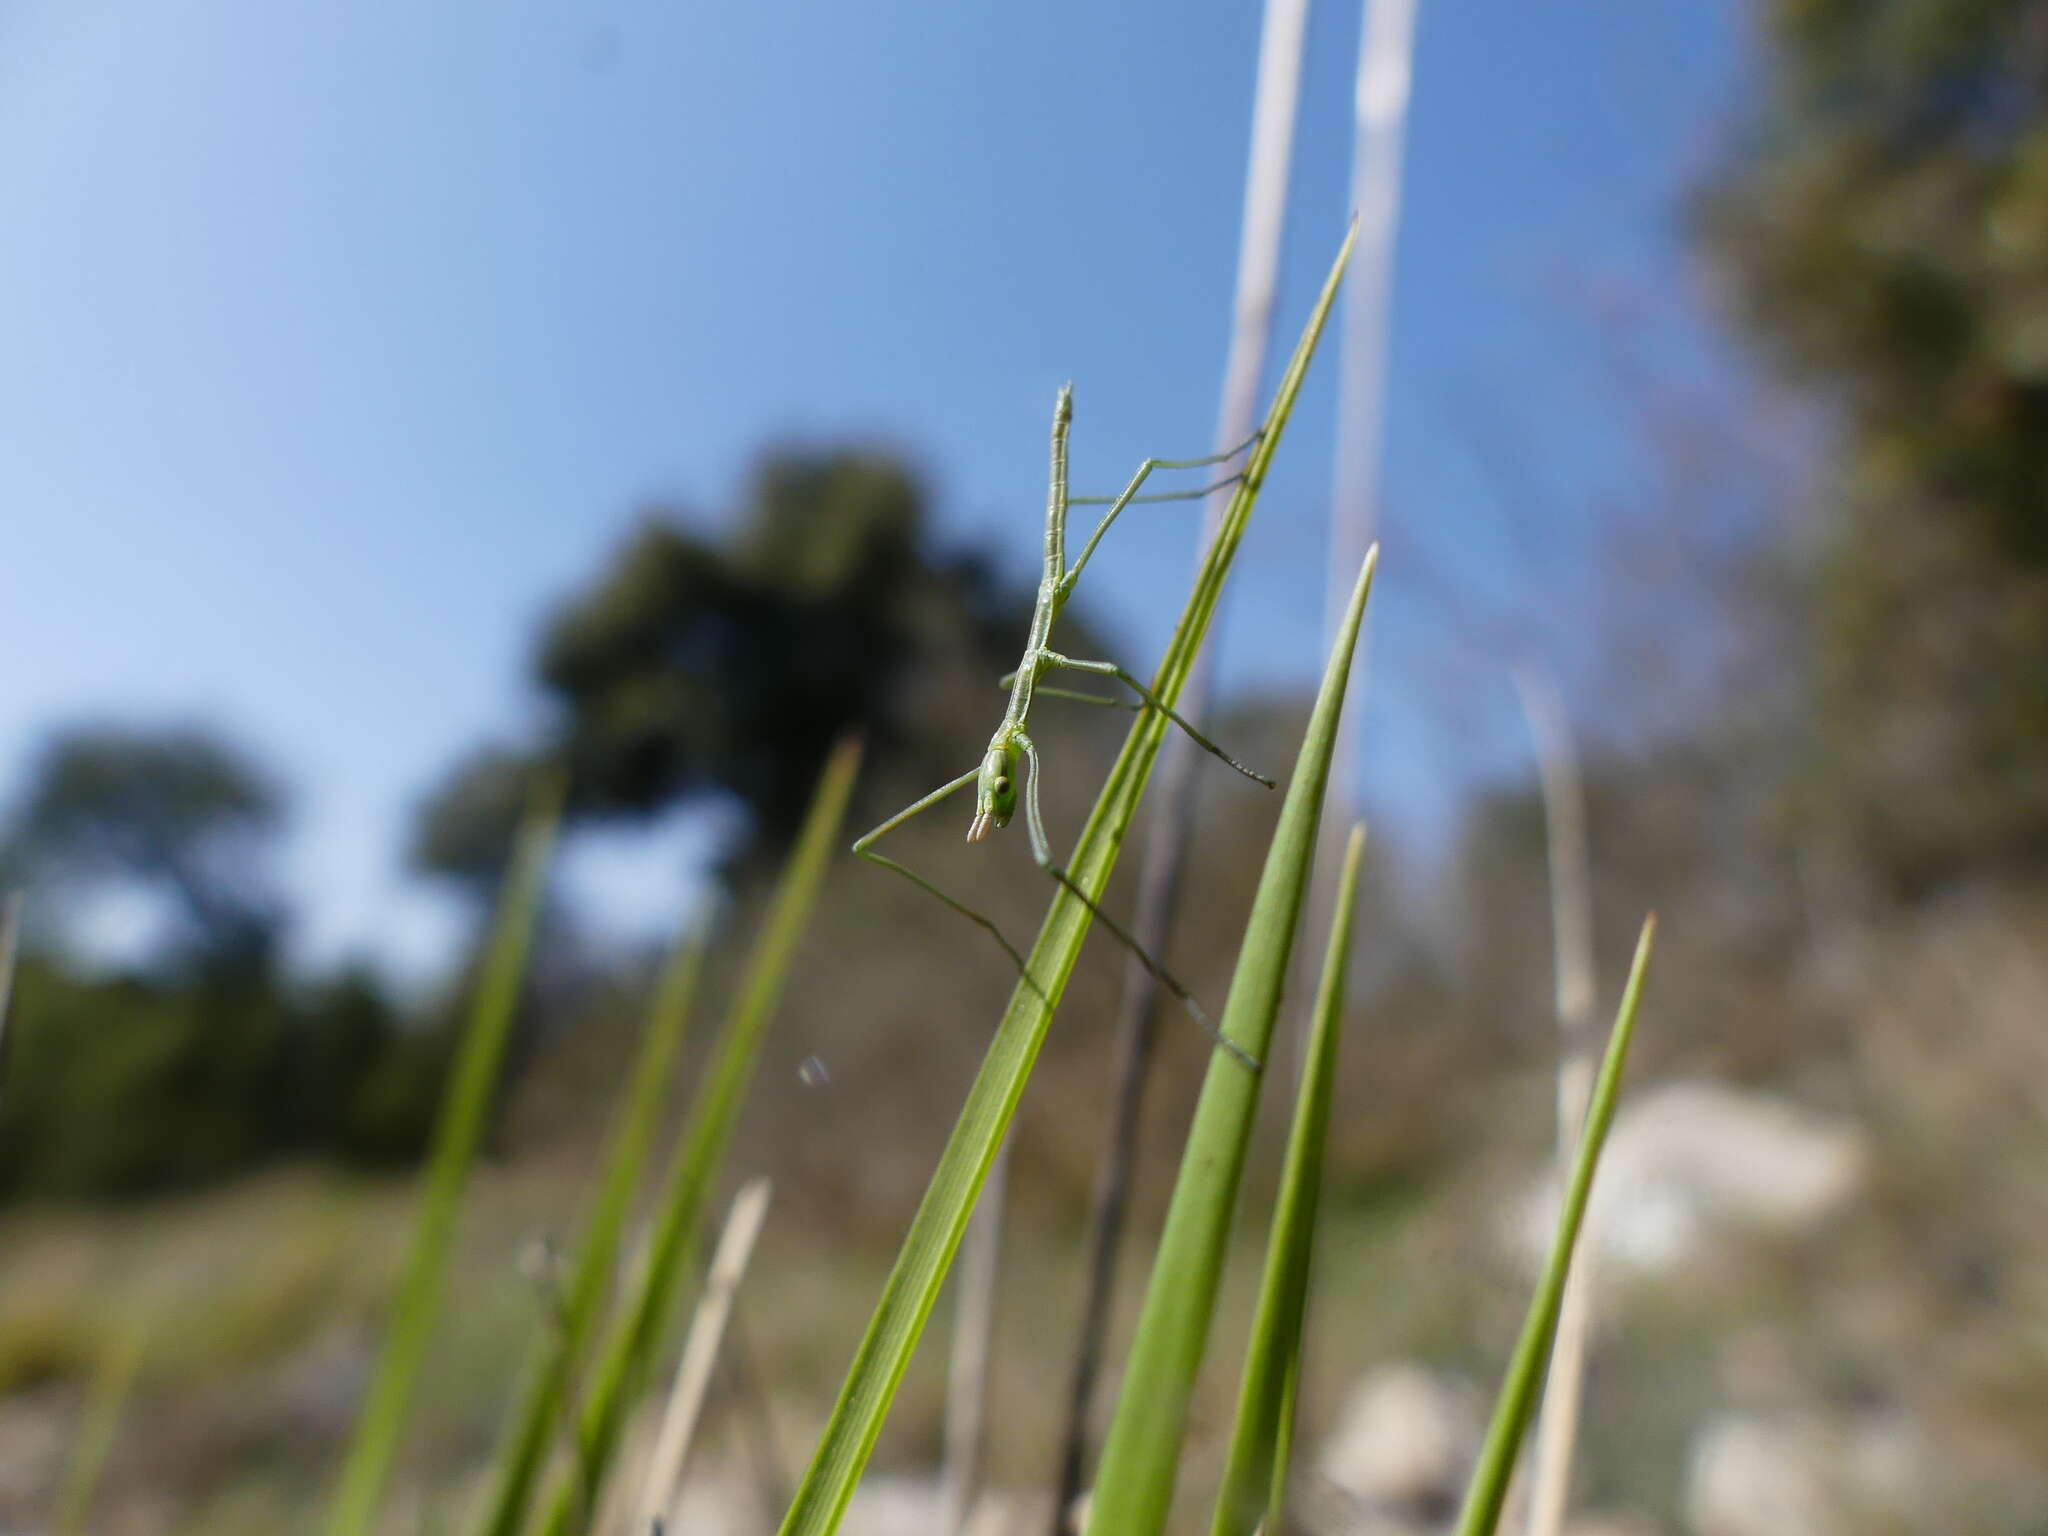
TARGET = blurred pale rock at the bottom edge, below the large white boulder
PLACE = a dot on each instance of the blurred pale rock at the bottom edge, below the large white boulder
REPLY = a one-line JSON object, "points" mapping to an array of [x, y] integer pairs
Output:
{"points": [[1807, 1476]]}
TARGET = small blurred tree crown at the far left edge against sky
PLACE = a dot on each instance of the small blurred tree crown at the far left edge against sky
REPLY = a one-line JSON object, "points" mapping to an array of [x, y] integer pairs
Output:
{"points": [[177, 814]]}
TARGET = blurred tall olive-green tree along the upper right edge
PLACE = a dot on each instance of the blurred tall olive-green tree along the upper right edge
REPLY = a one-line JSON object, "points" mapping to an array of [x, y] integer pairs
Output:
{"points": [[1885, 237]]}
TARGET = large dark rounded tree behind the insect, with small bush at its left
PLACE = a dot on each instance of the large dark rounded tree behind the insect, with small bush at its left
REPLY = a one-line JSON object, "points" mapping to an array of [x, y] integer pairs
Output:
{"points": [[701, 665]]}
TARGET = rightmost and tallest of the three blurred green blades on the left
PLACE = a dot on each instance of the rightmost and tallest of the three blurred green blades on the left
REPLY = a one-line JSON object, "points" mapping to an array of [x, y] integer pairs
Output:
{"points": [[648, 1312]]}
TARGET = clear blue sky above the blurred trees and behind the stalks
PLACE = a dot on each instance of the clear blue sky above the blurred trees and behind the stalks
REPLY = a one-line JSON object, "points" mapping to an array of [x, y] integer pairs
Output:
{"points": [[339, 341]]}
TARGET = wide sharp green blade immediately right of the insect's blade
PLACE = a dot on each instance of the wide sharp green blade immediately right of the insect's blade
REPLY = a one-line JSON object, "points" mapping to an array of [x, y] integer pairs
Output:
{"points": [[1142, 1455]]}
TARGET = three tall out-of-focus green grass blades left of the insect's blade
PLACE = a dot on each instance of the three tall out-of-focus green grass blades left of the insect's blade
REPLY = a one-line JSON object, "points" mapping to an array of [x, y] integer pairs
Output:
{"points": [[638, 1330]]}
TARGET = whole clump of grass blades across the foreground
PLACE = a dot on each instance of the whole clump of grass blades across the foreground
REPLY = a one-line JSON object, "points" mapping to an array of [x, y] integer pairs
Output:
{"points": [[593, 1369]]}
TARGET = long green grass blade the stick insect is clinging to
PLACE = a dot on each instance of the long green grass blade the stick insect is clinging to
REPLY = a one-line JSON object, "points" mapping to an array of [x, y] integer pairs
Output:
{"points": [[935, 1234]]}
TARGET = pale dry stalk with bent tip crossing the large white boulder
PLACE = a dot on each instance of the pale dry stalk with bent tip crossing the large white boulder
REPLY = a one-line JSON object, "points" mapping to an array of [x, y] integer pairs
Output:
{"points": [[1572, 923]]}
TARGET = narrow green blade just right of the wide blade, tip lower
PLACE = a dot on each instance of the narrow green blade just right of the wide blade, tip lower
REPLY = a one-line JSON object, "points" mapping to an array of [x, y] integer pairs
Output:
{"points": [[1254, 1480]]}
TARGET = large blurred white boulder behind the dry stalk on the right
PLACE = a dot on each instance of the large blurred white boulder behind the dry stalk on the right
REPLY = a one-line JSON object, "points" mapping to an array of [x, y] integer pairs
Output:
{"points": [[1697, 1158]]}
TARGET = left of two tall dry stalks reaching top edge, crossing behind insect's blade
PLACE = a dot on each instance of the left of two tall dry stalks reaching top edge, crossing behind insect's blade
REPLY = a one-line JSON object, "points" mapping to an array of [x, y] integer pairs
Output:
{"points": [[1275, 110]]}
